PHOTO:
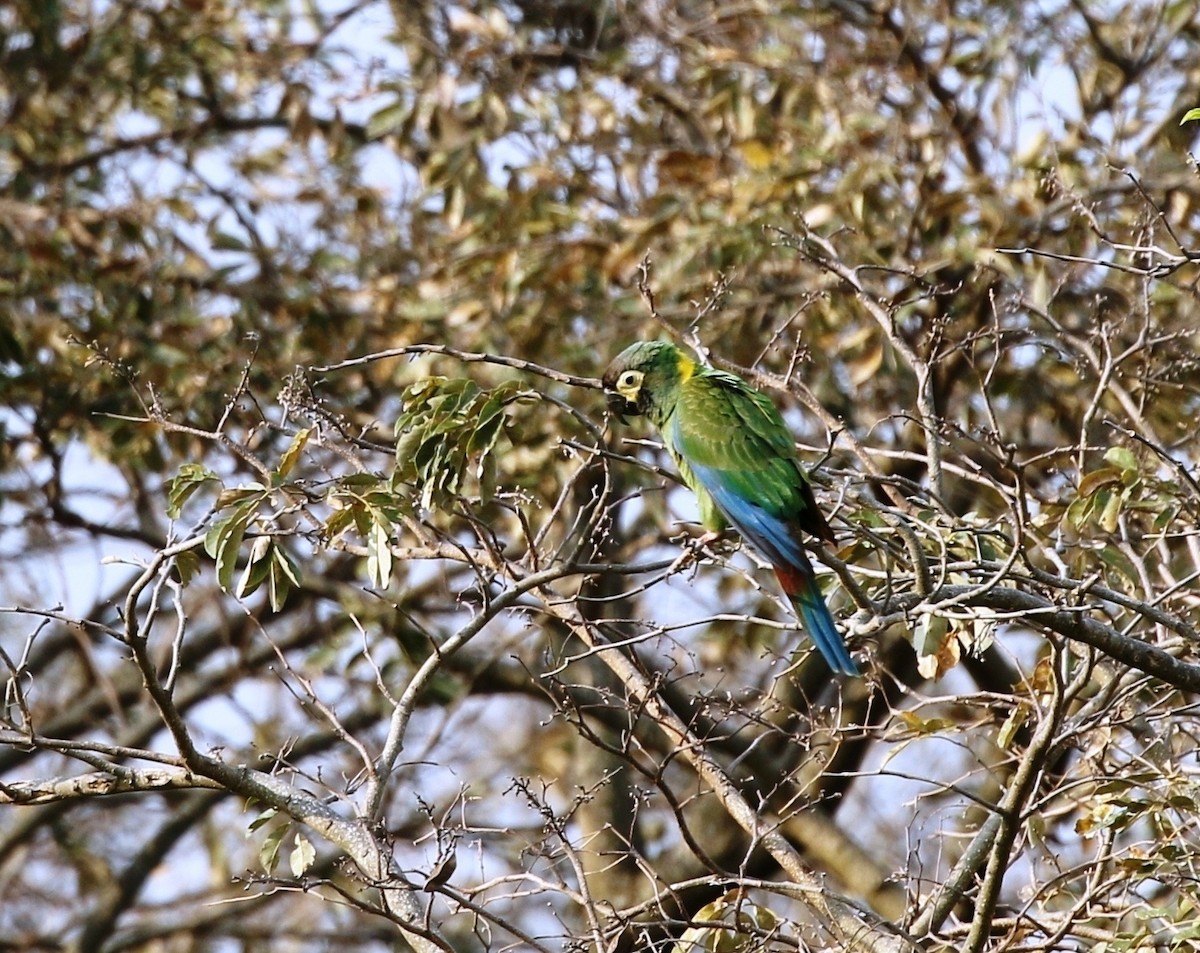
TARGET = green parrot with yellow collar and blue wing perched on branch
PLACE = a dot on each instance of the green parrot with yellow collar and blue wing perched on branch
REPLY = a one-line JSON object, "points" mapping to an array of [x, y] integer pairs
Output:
{"points": [[735, 452]]}
